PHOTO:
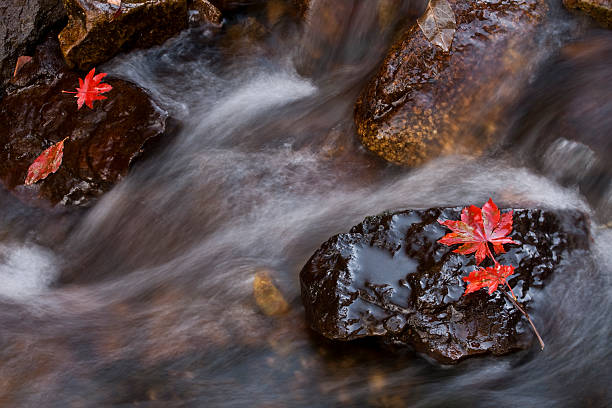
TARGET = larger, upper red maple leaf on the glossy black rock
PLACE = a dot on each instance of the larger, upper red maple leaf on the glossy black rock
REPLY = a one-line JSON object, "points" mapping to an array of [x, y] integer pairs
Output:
{"points": [[477, 228]]}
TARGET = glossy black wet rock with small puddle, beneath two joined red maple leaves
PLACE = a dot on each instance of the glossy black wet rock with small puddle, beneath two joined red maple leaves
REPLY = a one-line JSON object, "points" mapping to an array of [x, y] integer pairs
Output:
{"points": [[389, 277]]}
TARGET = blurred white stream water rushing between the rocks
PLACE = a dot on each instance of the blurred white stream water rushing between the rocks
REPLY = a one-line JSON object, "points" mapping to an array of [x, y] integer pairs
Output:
{"points": [[146, 299]]}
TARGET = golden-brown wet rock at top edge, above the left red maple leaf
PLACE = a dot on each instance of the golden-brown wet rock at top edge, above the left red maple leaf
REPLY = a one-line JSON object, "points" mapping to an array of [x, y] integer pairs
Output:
{"points": [[96, 31]]}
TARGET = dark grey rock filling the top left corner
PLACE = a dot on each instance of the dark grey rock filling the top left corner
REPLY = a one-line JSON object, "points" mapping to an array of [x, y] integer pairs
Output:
{"points": [[22, 24]]}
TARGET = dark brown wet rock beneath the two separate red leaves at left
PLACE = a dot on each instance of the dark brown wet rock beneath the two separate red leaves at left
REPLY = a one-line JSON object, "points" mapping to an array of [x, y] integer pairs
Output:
{"points": [[102, 143]]}
